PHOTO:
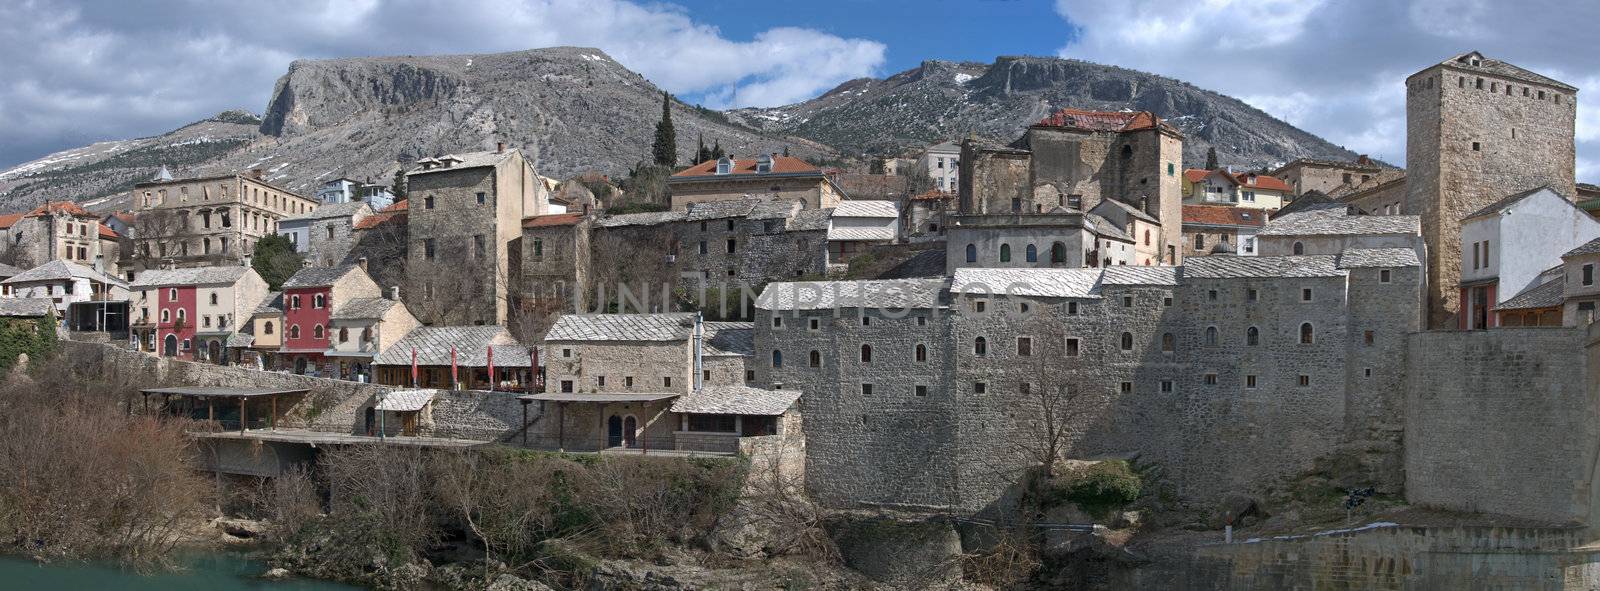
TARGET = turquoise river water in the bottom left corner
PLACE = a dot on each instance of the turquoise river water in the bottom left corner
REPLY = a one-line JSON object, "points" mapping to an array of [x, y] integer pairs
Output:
{"points": [[210, 573]]}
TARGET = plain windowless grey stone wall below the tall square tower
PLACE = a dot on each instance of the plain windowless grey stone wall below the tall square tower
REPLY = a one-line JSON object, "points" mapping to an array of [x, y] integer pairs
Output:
{"points": [[1503, 422]]}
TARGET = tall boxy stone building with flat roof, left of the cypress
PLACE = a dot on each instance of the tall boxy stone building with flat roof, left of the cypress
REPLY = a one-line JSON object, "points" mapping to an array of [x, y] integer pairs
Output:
{"points": [[463, 228]]}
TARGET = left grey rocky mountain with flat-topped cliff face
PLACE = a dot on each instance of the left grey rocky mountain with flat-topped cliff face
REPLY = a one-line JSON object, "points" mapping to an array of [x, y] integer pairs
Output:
{"points": [[574, 110]]}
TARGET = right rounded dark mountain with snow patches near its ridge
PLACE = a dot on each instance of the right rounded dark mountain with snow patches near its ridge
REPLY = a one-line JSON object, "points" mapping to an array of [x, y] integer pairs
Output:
{"points": [[943, 100]]}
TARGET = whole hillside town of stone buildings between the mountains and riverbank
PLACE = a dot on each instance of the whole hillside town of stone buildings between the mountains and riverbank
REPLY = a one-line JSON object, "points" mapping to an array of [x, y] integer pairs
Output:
{"points": [[914, 336]]}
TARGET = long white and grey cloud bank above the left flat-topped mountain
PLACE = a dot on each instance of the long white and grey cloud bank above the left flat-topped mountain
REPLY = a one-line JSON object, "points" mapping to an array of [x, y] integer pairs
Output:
{"points": [[110, 71]]}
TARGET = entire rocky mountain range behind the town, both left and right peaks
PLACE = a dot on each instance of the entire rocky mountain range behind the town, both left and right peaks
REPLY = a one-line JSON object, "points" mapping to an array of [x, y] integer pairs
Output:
{"points": [[577, 110]]}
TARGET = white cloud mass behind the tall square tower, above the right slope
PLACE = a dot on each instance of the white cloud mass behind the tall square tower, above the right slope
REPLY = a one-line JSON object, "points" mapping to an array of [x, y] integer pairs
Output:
{"points": [[1338, 68]]}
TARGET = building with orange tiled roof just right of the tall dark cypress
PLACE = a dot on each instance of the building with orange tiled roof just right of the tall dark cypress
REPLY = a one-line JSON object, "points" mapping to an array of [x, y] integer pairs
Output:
{"points": [[764, 177]]}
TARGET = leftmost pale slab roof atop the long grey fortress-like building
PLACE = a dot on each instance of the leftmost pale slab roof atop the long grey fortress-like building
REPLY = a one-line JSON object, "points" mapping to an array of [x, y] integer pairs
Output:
{"points": [[895, 294]]}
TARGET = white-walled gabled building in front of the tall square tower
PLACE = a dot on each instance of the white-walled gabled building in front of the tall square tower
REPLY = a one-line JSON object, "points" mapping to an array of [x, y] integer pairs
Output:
{"points": [[1506, 246]]}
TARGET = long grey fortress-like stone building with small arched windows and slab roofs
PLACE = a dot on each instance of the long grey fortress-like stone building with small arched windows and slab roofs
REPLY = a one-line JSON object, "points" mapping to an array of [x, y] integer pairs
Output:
{"points": [[1170, 364]]}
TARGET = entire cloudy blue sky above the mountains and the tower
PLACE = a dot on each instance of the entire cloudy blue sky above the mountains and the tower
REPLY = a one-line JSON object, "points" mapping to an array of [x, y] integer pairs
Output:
{"points": [[82, 71]]}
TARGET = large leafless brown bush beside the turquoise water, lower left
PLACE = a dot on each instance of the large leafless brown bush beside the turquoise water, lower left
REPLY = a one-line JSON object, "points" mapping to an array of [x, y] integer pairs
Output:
{"points": [[82, 478]]}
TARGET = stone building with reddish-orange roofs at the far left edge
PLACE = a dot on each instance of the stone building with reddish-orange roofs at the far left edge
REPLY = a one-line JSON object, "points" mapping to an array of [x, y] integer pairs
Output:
{"points": [[58, 231]]}
